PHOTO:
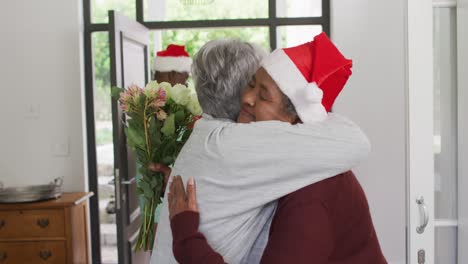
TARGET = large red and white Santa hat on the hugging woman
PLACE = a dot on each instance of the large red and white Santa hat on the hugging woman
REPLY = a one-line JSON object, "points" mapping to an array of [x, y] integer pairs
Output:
{"points": [[311, 75]]}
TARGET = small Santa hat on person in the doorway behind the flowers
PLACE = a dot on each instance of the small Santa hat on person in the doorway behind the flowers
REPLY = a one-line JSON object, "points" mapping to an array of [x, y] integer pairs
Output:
{"points": [[174, 58]]}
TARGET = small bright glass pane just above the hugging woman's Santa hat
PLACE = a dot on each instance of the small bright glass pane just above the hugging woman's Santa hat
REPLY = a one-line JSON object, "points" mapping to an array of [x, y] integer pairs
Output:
{"points": [[288, 36]]}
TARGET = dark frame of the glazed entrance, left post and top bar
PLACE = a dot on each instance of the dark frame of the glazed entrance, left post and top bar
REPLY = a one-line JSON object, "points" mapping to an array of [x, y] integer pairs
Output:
{"points": [[90, 27]]}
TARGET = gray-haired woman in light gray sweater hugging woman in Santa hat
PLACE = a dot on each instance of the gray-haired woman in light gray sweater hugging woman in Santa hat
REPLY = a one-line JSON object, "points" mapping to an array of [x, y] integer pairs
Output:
{"points": [[237, 166]]}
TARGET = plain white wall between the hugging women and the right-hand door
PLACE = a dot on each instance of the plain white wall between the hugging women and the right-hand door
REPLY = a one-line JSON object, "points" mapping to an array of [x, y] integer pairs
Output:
{"points": [[372, 33]]}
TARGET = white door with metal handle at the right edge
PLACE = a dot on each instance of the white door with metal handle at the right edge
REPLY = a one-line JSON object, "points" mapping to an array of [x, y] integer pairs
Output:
{"points": [[437, 111]]}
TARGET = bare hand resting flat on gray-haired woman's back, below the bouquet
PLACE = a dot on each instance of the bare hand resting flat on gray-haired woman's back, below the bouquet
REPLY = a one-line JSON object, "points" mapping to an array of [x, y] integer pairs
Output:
{"points": [[181, 200]]}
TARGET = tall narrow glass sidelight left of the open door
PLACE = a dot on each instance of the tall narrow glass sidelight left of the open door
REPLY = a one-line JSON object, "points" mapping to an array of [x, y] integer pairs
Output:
{"points": [[104, 147]]}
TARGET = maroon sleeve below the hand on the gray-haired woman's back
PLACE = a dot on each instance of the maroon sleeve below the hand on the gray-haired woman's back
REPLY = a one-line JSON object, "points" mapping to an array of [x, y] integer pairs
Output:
{"points": [[190, 246]]}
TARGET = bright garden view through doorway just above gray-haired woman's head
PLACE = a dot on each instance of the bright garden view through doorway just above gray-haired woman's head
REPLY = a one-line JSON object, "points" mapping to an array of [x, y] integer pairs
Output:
{"points": [[194, 39]]}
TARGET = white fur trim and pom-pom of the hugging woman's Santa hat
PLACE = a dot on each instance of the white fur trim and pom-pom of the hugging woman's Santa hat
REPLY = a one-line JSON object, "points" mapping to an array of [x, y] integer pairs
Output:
{"points": [[306, 97]]}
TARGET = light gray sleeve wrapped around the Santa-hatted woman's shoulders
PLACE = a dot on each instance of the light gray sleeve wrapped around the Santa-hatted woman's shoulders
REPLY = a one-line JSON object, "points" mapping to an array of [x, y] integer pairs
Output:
{"points": [[254, 156]]}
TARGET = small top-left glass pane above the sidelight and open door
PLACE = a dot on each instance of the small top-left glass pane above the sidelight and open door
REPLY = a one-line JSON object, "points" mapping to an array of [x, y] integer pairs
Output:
{"points": [[100, 8]]}
